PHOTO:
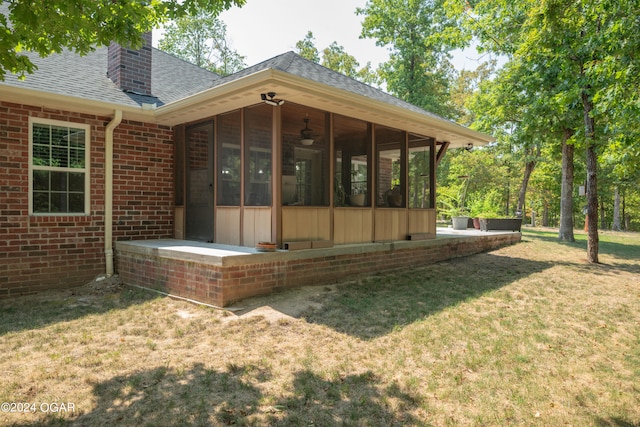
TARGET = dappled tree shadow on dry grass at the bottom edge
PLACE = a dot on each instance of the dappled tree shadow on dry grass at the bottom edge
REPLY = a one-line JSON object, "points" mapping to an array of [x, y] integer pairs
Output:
{"points": [[201, 396]]}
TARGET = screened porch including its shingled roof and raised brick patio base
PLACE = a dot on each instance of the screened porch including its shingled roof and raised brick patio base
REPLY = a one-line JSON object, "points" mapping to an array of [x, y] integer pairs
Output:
{"points": [[336, 175]]}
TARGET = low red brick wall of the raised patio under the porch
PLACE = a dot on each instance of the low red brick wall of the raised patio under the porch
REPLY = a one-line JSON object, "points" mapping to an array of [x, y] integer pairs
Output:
{"points": [[220, 283]]}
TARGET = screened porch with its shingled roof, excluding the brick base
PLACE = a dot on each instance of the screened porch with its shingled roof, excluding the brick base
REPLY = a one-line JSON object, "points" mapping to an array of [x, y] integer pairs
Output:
{"points": [[306, 162]]}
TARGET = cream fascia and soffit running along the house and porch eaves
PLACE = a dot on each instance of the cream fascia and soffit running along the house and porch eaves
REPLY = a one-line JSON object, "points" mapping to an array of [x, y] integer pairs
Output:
{"points": [[299, 90]]}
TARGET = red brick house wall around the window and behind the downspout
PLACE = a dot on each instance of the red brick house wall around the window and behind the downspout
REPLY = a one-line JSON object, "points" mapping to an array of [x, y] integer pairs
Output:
{"points": [[44, 252]]}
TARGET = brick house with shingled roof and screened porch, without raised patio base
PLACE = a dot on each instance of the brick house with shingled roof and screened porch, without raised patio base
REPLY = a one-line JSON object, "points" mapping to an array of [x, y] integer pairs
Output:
{"points": [[123, 145]]}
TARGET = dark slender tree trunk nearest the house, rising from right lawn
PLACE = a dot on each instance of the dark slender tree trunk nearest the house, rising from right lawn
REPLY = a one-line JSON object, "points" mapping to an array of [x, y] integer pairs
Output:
{"points": [[592, 179]]}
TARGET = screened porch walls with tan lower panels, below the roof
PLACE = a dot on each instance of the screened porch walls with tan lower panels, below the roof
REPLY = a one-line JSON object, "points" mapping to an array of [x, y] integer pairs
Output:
{"points": [[302, 177]]}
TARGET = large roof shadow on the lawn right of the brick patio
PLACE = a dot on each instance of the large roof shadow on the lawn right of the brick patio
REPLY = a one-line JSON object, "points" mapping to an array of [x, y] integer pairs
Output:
{"points": [[378, 305]]}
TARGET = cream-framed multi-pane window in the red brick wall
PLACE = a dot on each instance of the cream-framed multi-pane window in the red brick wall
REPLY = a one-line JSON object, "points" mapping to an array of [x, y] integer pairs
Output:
{"points": [[58, 167]]}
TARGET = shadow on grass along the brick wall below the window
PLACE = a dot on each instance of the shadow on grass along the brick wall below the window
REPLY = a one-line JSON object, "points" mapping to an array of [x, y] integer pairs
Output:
{"points": [[36, 311]]}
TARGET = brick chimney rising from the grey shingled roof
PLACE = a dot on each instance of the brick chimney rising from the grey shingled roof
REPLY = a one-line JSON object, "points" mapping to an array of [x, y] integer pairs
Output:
{"points": [[130, 69]]}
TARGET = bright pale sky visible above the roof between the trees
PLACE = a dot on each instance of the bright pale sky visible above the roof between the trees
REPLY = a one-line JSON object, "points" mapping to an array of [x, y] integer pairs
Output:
{"points": [[262, 29]]}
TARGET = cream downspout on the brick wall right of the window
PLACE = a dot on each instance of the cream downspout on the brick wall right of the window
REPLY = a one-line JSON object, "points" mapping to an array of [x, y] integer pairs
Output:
{"points": [[108, 191]]}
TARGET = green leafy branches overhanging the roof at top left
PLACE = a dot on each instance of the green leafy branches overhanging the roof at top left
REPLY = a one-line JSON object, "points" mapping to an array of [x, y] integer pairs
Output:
{"points": [[47, 27]]}
